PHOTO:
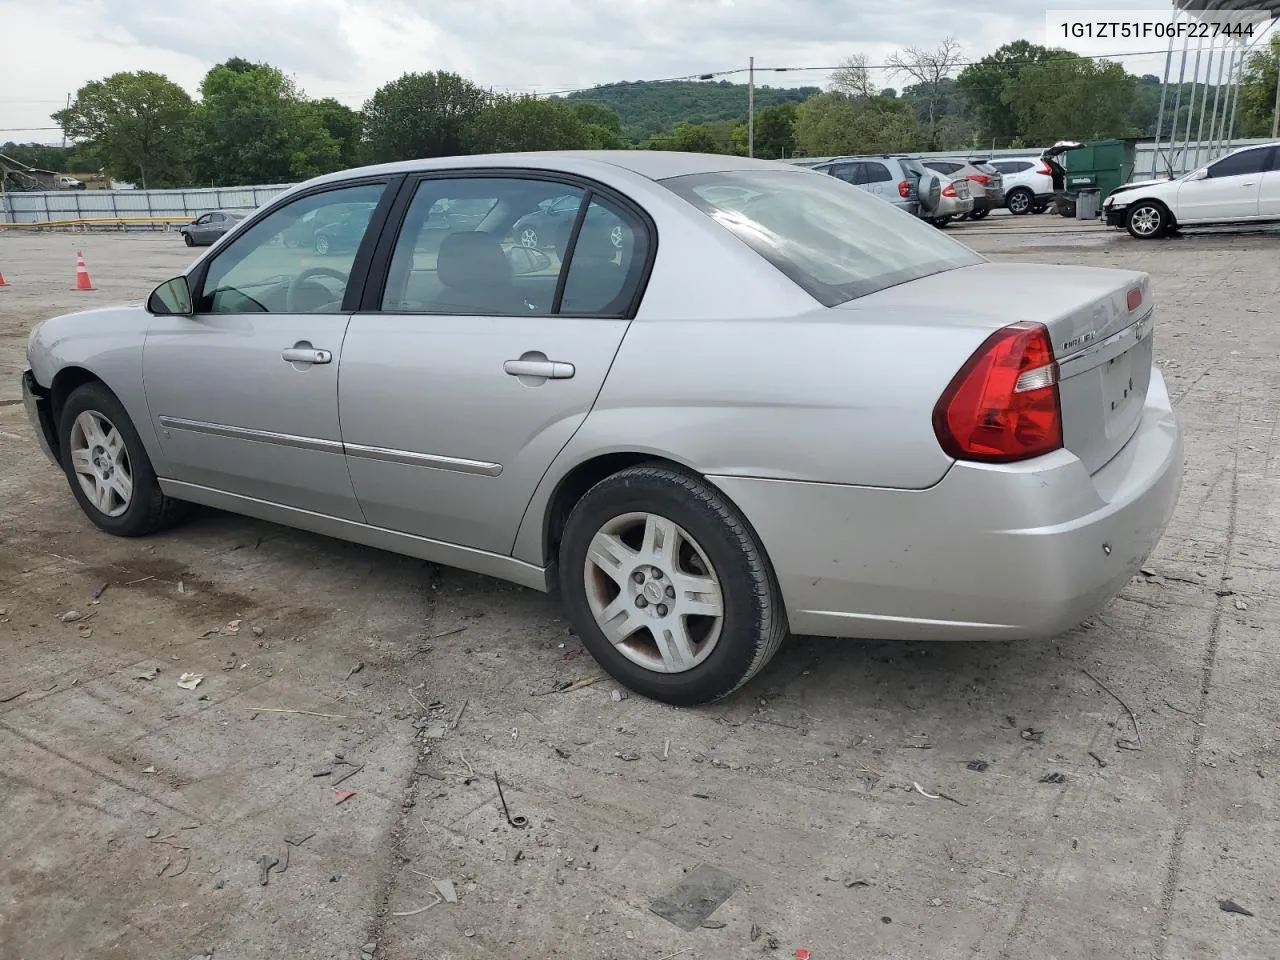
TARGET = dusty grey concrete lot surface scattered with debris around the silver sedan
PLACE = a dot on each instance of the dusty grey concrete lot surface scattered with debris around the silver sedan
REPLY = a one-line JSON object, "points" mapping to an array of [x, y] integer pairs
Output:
{"points": [[136, 813]]}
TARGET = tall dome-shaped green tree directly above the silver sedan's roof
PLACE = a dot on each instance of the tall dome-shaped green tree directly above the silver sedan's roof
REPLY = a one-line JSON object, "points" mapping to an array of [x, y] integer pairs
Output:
{"points": [[422, 116]]}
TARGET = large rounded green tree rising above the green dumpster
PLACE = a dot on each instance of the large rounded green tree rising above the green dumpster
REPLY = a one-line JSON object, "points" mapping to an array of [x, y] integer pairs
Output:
{"points": [[1072, 98]]}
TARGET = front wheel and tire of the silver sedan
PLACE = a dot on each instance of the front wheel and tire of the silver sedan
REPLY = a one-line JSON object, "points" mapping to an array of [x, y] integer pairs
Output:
{"points": [[147, 509]]}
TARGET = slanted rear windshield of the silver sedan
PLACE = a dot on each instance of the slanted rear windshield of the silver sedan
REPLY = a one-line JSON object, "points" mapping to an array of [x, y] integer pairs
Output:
{"points": [[834, 240]]}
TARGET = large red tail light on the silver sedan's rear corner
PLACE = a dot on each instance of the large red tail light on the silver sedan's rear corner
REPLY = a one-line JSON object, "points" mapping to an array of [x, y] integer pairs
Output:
{"points": [[1004, 405]]}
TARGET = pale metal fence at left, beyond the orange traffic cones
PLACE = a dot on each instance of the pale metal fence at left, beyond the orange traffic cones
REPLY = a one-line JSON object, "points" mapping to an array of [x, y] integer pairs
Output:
{"points": [[131, 204]]}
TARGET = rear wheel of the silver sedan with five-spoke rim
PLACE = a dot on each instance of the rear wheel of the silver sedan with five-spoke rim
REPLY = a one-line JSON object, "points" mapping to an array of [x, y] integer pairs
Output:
{"points": [[712, 543]]}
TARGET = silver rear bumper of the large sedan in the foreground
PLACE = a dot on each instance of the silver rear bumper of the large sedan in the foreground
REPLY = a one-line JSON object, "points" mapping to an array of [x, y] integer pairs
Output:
{"points": [[991, 552]]}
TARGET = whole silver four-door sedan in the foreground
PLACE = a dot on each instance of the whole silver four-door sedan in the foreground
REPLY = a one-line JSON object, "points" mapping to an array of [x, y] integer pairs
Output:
{"points": [[779, 405]]}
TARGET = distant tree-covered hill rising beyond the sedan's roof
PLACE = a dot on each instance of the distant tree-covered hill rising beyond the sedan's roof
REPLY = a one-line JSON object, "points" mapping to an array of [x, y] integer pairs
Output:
{"points": [[656, 108]]}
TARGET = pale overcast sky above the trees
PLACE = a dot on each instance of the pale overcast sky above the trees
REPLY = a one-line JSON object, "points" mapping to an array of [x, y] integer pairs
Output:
{"points": [[349, 48]]}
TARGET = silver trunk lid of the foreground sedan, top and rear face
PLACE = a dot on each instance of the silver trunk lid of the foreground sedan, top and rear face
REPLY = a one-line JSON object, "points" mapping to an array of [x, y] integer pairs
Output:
{"points": [[1103, 348]]}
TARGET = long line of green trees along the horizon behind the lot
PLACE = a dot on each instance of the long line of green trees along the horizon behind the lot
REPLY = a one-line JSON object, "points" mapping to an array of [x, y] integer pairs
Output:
{"points": [[253, 125]]}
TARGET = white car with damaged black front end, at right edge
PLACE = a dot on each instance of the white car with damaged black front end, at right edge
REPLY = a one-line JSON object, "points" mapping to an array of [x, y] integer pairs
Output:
{"points": [[1242, 188]]}
